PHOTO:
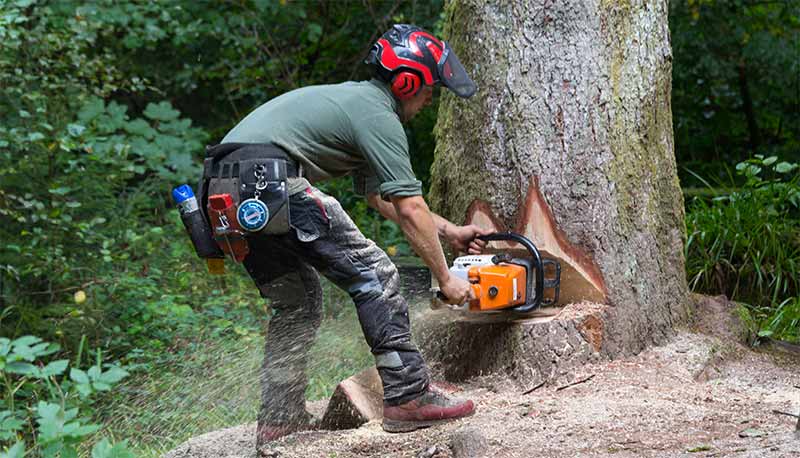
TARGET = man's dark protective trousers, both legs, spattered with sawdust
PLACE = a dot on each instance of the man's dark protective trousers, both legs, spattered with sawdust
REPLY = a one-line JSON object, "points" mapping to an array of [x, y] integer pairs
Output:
{"points": [[324, 239]]}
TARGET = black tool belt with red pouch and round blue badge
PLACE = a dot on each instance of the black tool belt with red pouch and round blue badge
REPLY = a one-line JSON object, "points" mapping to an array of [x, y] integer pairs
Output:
{"points": [[244, 191]]}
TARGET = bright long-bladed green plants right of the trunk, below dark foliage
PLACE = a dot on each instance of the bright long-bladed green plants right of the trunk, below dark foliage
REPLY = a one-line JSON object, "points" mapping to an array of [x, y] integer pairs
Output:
{"points": [[746, 243]]}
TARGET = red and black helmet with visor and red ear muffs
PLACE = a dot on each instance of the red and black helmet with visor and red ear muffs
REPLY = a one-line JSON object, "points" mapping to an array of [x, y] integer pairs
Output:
{"points": [[408, 57]]}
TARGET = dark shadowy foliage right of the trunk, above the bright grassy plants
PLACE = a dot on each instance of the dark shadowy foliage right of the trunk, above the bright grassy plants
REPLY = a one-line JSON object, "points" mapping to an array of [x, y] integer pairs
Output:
{"points": [[735, 87]]}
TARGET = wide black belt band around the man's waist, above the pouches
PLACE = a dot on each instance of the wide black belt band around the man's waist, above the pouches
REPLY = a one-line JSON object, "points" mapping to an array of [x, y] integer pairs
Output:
{"points": [[222, 161]]}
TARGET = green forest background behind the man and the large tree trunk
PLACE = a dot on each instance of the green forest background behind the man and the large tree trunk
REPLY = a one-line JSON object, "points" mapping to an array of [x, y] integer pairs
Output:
{"points": [[106, 105]]}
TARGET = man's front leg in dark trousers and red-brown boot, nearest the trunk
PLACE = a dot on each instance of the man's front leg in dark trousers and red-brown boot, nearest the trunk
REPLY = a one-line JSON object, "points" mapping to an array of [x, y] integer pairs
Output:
{"points": [[335, 246]]}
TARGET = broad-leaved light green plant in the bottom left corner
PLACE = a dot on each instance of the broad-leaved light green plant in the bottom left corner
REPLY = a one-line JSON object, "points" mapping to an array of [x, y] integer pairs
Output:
{"points": [[44, 409]]}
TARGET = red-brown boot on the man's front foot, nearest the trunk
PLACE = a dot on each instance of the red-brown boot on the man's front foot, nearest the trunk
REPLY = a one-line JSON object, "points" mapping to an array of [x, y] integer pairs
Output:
{"points": [[432, 408]]}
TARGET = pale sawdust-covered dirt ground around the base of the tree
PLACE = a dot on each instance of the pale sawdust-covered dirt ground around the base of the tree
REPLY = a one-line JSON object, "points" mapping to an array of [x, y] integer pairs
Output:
{"points": [[701, 394]]}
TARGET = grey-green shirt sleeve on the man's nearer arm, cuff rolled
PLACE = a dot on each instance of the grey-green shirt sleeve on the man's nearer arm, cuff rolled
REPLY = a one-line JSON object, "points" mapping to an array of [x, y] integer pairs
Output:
{"points": [[384, 145]]}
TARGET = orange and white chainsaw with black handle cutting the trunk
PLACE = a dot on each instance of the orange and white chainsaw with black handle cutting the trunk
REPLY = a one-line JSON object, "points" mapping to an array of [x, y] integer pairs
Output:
{"points": [[503, 283]]}
